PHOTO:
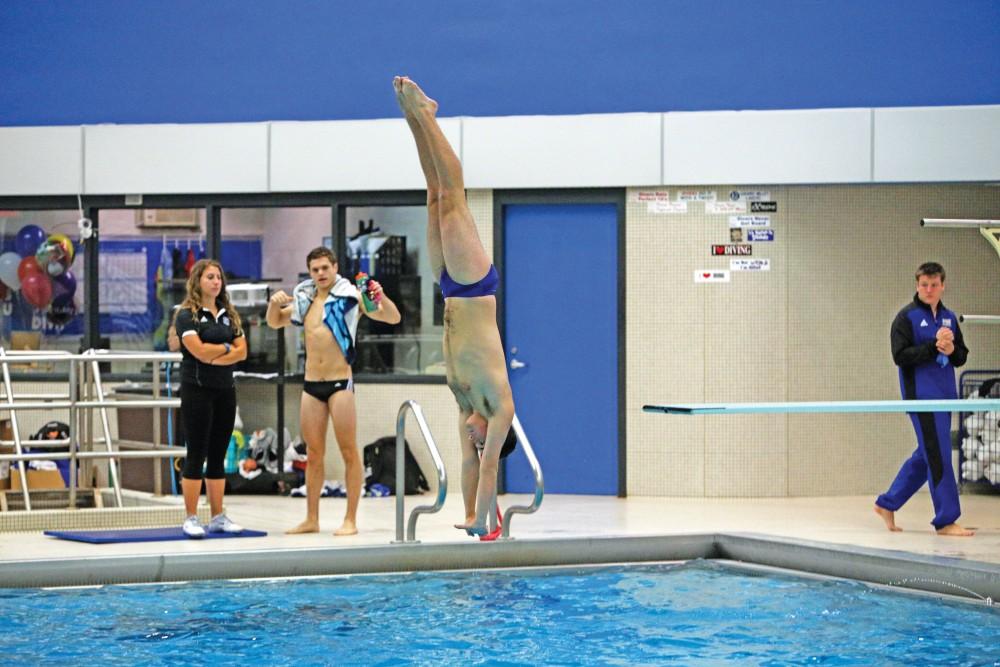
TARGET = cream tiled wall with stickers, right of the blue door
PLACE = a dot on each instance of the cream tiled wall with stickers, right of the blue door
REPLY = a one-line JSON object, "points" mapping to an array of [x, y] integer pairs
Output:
{"points": [[814, 327]]}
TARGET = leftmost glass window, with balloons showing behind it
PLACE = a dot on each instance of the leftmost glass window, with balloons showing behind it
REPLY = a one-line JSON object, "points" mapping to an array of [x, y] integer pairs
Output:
{"points": [[41, 282]]}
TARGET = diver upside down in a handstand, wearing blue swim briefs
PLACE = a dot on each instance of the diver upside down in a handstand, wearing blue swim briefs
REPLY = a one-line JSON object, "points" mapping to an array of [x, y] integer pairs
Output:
{"points": [[476, 369]]}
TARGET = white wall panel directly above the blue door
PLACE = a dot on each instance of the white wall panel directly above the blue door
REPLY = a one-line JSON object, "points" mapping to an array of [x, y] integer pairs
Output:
{"points": [[562, 151]]}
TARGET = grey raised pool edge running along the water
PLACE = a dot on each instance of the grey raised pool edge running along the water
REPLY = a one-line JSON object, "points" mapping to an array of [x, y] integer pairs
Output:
{"points": [[931, 574]]}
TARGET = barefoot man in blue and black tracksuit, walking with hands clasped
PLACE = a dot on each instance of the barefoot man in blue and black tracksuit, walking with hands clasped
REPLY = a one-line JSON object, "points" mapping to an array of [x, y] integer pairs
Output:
{"points": [[927, 346]]}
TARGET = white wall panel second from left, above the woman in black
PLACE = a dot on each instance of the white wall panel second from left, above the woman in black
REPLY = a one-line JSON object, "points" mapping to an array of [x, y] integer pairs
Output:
{"points": [[168, 159]]}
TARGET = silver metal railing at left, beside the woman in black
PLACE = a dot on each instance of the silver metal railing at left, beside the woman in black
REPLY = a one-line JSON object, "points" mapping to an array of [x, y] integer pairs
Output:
{"points": [[84, 376]]}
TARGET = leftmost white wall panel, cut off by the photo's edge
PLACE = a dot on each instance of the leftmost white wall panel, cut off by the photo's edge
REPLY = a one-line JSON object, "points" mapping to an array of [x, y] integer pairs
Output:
{"points": [[41, 160]]}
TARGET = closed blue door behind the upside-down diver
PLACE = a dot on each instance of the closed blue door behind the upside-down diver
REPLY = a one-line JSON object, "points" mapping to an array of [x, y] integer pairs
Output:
{"points": [[561, 312]]}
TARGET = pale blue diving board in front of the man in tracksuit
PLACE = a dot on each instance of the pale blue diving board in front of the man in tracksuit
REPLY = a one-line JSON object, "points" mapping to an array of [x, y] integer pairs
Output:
{"points": [[954, 405]]}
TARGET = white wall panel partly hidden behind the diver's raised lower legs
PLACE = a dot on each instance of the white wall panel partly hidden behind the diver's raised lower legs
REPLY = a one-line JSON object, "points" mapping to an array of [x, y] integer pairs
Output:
{"points": [[349, 155]]}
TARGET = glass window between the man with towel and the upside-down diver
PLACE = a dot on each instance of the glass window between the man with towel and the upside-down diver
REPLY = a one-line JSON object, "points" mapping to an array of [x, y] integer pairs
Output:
{"points": [[389, 243]]}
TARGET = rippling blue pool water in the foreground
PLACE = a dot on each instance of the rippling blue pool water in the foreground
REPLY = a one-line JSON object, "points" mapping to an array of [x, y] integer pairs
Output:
{"points": [[698, 613]]}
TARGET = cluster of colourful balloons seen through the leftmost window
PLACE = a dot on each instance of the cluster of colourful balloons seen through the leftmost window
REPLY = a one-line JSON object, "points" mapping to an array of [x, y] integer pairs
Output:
{"points": [[39, 268]]}
